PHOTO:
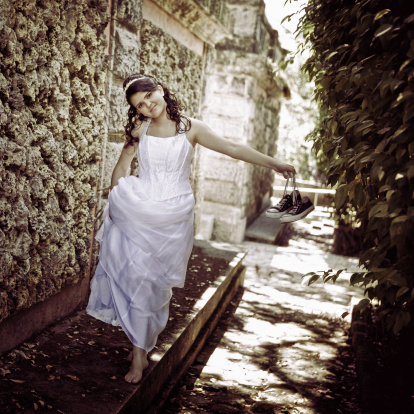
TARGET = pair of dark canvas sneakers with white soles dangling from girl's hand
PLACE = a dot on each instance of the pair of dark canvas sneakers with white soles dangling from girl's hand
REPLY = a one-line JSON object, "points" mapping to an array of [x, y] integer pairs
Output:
{"points": [[291, 207]]}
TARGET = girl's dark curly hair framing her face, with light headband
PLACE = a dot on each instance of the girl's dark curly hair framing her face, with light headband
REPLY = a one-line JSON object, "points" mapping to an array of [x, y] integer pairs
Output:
{"points": [[147, 83]]}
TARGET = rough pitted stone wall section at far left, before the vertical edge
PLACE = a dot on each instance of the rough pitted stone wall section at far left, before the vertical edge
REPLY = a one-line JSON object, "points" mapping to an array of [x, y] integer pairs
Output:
{"points": [[52, 124]]}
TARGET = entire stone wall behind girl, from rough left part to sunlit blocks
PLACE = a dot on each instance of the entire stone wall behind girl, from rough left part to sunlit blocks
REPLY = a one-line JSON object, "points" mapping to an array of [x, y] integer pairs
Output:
{"points": [[62, 116]]}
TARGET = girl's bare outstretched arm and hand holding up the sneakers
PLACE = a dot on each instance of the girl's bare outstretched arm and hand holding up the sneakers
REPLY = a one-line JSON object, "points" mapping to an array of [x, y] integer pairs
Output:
{"points": [[202, 134]]}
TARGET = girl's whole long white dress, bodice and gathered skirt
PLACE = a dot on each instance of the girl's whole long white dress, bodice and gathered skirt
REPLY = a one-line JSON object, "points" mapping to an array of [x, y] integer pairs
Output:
{"points": [[146, 244]]}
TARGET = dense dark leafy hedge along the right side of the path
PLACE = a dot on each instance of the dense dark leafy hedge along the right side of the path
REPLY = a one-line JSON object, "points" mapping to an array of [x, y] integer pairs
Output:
{"points": [[362, 63]]}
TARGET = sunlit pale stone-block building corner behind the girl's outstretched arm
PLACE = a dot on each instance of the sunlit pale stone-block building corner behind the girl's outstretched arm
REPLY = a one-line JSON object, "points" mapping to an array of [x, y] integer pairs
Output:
{"points": [[242, 103]]}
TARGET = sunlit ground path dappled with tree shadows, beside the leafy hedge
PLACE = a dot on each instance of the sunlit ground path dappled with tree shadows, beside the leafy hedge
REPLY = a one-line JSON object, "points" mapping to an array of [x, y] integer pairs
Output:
{"points": [[282, 347]]}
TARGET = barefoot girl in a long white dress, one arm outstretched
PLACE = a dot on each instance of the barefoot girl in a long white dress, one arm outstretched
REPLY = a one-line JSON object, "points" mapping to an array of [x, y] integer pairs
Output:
{"points": [[147, 234]]}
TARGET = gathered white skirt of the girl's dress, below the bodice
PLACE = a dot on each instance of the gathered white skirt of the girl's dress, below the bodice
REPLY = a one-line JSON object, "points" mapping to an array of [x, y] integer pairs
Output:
{"points": [[144, 249]]}
